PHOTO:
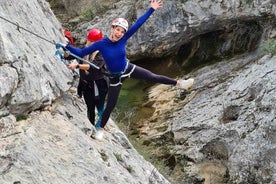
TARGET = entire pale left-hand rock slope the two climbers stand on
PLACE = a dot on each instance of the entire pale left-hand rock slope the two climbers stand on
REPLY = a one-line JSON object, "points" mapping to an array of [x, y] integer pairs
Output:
{"points": [[52, 144]]}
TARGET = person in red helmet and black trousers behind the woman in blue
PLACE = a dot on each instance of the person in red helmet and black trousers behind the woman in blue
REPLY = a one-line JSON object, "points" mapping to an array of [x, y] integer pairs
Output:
{"points": [[93, 85]]}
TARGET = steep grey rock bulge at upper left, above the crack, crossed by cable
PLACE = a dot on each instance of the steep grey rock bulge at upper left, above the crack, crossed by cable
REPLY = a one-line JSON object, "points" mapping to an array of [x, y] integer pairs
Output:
{"points": [[31, 77]]}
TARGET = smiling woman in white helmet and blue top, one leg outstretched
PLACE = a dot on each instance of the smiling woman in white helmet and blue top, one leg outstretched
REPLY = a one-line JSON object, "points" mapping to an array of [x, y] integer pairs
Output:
{"points": [[113, 49]]}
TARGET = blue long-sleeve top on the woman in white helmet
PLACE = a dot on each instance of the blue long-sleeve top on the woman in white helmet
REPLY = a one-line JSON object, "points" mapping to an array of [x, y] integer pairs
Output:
{"points": [[114, 53]]}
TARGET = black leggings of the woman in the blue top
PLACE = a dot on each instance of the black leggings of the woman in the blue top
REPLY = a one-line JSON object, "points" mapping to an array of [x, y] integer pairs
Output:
{"points": [[134, 72]]}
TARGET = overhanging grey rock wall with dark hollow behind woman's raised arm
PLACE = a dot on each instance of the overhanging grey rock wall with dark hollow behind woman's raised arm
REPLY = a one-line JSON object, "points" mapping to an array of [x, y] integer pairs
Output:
{"points": [[181, 27]]}
